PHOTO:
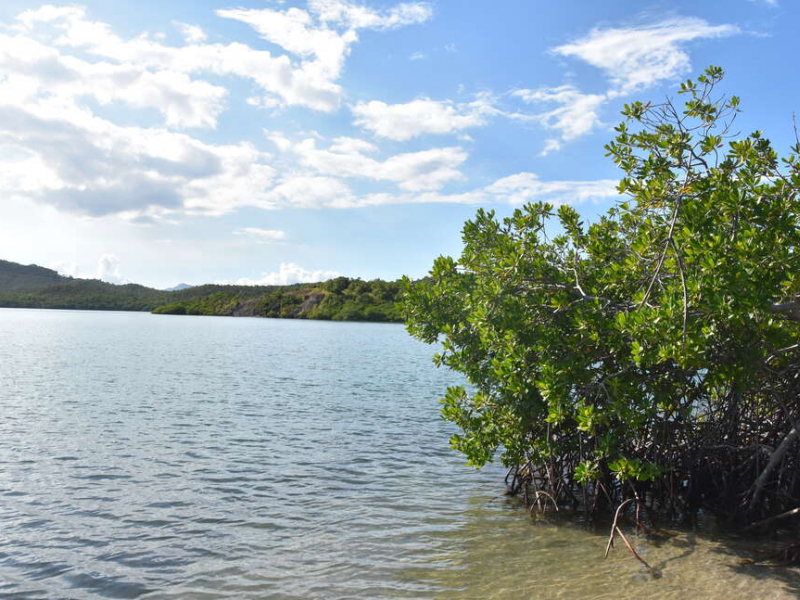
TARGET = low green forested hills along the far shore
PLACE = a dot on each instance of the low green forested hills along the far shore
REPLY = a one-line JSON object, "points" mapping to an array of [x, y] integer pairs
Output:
{"points": [[341, 299]]}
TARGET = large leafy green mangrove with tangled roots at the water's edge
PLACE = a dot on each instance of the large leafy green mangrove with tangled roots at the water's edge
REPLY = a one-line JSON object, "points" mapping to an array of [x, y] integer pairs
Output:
{"points": [[652, 354]]}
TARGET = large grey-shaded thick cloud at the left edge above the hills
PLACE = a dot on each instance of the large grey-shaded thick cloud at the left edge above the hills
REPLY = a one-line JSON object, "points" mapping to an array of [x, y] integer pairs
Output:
{"points": [[81, 163]]}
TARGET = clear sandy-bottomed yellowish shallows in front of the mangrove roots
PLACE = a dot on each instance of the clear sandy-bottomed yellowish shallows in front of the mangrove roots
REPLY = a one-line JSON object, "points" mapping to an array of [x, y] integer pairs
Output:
{"points": [[499, 553]]}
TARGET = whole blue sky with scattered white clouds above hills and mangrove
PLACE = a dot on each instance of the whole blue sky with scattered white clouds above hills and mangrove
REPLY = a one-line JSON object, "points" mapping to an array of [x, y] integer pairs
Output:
{"points": [[286, 141]]}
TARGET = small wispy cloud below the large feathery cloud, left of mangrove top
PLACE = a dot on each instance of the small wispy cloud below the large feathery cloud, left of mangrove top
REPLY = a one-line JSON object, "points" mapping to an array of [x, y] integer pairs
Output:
{"points": [[576, 115]]}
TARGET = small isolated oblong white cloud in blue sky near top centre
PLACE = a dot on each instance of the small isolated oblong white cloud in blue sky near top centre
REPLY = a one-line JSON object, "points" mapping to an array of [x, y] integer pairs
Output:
{"points": [[402, 122]]}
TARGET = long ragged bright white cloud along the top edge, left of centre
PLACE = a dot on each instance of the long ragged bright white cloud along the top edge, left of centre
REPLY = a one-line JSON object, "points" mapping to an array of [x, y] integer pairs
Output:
{"points": [[316, 41]]}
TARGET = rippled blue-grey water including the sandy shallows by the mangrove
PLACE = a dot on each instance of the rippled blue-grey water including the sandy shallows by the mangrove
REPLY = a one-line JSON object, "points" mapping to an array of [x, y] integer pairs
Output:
{"points": [[205, 458]]}
